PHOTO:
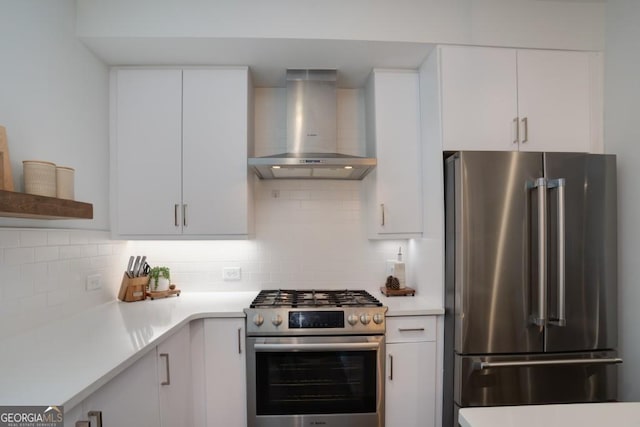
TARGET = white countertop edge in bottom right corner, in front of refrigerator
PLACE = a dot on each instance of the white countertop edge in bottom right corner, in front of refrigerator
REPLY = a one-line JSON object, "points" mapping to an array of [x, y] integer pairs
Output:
{"points": [[619, 414]]}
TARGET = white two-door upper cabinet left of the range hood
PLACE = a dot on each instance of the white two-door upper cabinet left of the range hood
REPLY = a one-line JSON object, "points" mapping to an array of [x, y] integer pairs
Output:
{"points": [[179, 153]]}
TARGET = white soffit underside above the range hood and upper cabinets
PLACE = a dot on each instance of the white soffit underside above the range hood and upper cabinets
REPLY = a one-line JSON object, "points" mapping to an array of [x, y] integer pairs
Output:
{"points": [[267, 58]]}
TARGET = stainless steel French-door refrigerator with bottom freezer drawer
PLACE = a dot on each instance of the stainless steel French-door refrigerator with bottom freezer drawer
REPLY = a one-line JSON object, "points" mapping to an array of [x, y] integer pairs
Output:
{"points": [[530, 278]]}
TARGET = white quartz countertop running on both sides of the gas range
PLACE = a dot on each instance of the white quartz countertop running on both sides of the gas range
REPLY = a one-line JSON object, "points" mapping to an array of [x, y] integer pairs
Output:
{"points": [[65, 361]]}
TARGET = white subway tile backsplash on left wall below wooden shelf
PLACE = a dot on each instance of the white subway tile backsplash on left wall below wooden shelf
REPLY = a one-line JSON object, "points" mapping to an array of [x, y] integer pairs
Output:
{"points": [[43, 274]]}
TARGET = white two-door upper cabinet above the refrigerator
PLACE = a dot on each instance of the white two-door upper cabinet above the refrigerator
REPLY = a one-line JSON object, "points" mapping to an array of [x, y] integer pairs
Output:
{"points": [[527, 100]]}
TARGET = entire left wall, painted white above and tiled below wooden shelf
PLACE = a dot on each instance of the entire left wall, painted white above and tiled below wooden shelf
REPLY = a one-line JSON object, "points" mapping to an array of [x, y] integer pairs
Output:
{"points": [[54, 105]]}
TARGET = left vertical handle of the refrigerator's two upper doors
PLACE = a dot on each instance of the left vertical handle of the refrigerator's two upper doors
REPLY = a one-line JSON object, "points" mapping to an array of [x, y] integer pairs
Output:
{"points": [[540, 185]]}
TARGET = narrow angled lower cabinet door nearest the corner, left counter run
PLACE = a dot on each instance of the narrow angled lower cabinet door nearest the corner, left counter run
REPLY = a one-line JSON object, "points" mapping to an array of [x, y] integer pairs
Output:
{"points": [[174, 373]]}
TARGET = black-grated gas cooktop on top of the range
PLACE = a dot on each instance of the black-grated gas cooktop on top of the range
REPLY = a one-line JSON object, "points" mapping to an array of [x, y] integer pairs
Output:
{"points": [[283, 298]]}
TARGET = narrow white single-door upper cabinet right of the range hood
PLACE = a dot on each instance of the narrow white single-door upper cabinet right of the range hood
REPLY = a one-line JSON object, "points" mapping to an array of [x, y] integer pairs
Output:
{"points": [[393, 190]]}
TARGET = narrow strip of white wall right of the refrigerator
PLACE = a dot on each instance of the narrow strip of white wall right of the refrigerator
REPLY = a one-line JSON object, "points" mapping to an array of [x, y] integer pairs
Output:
{"points": [[622, 137]]}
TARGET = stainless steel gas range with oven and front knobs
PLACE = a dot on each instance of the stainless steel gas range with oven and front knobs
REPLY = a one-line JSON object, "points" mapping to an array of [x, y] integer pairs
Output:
{"points": [[315, 358]]}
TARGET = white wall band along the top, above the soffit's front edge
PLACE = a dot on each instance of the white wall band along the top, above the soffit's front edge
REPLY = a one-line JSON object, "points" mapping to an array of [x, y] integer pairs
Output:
{"points": [[522, 23]]}
